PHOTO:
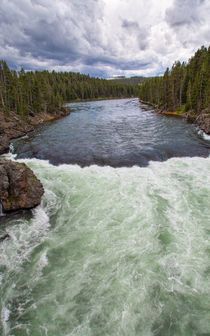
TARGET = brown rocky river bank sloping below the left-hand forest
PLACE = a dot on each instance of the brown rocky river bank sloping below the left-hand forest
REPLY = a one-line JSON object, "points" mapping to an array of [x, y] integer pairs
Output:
{"points": [[13, 126]]}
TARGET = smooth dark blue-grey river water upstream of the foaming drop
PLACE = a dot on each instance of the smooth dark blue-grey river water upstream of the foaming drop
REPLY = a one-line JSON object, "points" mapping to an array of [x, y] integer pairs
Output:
{"points": [[114, 132]]}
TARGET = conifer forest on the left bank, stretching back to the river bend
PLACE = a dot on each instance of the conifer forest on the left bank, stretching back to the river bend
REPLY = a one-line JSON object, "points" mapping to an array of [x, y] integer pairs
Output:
{"points": [[26, 92]]}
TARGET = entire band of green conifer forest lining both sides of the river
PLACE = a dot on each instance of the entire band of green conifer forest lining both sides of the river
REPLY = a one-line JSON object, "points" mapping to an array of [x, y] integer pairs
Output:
{"points": [[184, 88]]}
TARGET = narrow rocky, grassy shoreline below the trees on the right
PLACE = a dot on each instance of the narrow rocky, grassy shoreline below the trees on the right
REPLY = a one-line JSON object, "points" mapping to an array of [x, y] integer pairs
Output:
{"points": [[202, 120]]}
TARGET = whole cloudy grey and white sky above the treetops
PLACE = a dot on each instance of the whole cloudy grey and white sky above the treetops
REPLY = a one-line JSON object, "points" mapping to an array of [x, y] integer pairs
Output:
{"points": [[102, 38]]}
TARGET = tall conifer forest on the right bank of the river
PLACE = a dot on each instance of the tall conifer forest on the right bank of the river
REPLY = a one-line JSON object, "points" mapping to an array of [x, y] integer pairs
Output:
{"points": [[186, 87]]}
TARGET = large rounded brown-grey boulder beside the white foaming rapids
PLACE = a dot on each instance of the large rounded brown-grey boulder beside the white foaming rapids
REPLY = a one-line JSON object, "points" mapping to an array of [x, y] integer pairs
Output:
{"points": [[19, 187]]}
